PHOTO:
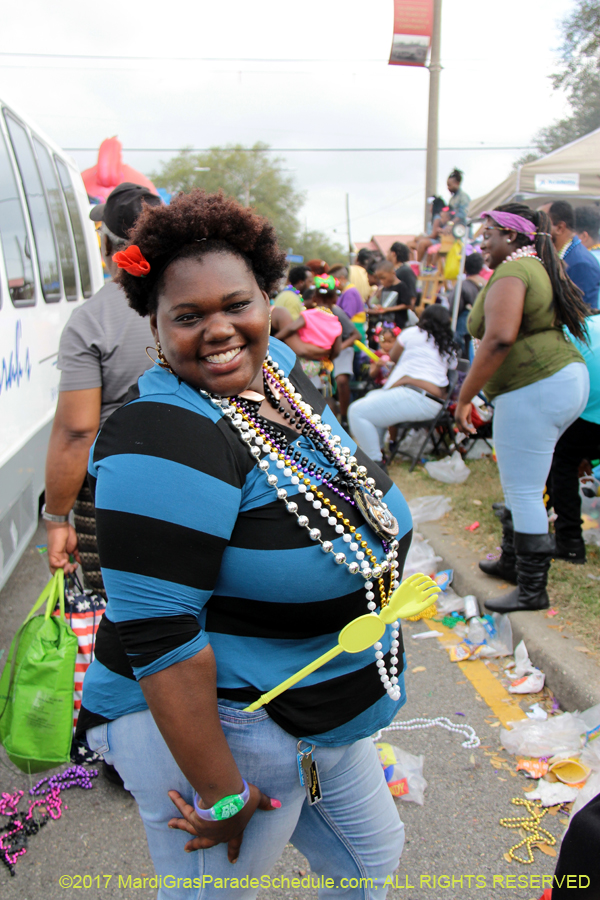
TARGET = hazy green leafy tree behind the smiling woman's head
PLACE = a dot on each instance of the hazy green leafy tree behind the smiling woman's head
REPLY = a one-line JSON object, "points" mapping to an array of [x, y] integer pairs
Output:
{"points": [[256, 179]]}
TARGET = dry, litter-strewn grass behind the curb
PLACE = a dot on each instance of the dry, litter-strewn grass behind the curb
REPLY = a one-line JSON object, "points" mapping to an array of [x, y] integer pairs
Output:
{"points": [[571, 590]]}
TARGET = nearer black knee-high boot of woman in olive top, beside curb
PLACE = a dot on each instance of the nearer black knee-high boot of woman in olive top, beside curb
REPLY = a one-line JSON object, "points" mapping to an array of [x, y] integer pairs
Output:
{"points": [[534, 555]]}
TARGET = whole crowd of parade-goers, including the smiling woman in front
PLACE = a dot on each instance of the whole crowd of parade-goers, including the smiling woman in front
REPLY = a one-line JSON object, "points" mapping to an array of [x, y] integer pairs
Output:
{"points": [[235, 414]]}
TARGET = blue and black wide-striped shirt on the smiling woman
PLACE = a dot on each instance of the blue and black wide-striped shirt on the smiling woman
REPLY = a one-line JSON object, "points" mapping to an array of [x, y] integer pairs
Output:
{"points": [[195, 548]]}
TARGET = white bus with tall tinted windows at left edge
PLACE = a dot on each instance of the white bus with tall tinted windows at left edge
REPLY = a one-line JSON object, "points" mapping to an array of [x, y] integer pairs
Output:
{"points": [[49, 263]]}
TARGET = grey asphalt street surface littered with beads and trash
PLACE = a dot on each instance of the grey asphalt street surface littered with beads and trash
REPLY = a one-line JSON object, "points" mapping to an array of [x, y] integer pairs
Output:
{"points": [[455, 834]]}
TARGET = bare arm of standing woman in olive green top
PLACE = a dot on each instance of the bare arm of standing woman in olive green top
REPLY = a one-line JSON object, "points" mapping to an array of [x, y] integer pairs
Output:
{"points": [[503, 315]]}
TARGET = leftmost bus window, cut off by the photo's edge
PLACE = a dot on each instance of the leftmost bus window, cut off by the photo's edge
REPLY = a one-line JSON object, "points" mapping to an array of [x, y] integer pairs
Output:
{"points": [[13, 234]]}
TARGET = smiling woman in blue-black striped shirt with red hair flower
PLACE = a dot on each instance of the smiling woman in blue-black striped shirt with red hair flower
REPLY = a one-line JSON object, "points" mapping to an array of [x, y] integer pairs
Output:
{"points": [[209, 488]]}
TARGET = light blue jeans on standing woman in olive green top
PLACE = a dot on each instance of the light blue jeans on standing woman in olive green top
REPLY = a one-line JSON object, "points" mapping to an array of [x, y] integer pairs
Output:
{"points": [[527, 425]]}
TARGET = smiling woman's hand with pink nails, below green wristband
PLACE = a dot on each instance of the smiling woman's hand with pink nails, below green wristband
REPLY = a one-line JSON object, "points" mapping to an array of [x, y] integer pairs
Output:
{"points": [[228, 831]]}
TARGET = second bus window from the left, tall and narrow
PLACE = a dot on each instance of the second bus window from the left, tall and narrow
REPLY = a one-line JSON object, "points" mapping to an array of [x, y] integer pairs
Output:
{"points": [[38, 210]]}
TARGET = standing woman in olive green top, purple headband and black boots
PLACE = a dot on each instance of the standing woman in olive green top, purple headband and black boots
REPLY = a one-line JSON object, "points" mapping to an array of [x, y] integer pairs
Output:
{"points": [[536, 379]]}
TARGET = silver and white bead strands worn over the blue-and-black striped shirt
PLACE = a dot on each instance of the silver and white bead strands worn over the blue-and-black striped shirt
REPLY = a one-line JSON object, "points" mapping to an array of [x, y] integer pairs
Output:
{"points": [[259, 443]]}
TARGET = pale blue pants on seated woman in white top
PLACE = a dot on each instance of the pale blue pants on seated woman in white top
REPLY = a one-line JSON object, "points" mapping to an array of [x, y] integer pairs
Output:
{"points": [[371, 416]]}
